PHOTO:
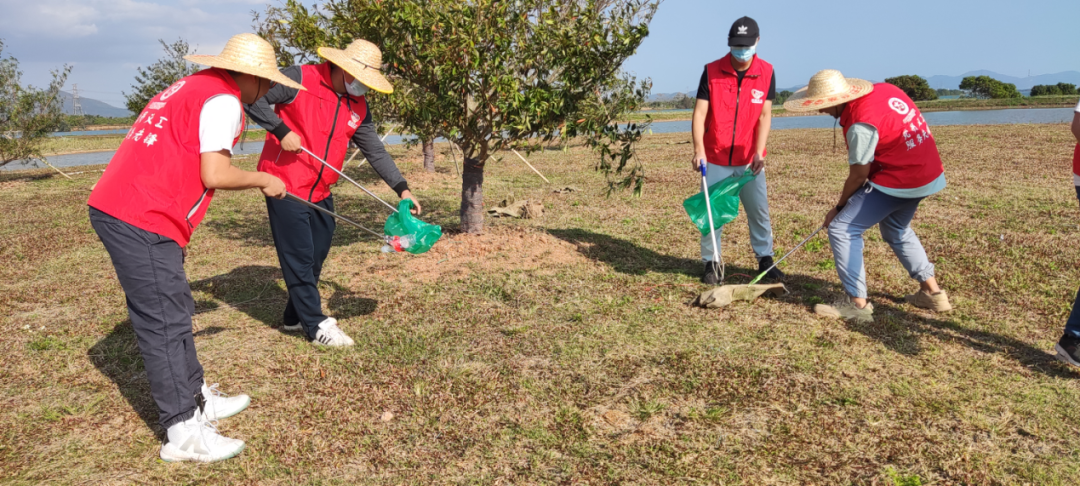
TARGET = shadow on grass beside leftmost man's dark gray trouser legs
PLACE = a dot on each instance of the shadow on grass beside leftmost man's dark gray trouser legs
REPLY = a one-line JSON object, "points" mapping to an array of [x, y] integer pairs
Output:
{"points": [[118, 358]]}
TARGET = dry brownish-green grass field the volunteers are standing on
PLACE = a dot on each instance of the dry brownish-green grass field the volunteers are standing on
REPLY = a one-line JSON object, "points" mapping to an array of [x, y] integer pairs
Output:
{"points": [[563, 350]]}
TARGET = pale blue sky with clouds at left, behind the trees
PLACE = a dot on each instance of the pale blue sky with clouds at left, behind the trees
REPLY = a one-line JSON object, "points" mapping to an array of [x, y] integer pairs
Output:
{"points": [[106, 40]]}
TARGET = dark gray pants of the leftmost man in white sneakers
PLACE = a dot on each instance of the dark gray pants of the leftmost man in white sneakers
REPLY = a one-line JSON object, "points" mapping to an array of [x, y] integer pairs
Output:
{"points": [[151, 269]]}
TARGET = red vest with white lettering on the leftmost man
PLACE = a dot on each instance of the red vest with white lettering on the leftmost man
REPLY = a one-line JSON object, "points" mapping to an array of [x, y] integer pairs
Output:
{"points": [[154, 182]]}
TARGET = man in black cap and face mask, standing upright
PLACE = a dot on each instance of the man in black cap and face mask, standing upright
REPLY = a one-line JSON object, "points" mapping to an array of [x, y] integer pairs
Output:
{"points": [[732, 124]]}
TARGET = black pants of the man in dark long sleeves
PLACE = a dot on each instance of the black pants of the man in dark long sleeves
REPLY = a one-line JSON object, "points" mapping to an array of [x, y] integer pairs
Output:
{"points": [[303, 237]]}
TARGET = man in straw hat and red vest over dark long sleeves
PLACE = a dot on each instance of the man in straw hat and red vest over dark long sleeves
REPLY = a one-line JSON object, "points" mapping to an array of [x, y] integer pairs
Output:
{"points": [[323, 119]]}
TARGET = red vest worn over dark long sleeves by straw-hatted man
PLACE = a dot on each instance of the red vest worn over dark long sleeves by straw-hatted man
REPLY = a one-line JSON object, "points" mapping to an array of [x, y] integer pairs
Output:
{"points": [[326, 124]]}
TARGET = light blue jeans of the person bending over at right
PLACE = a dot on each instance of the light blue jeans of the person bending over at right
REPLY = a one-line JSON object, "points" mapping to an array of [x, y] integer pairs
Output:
{"points": [[865, 210]]}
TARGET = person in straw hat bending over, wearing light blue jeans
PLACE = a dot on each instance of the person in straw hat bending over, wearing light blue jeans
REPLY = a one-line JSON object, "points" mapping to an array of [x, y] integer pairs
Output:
{"points": [[894, 166]]}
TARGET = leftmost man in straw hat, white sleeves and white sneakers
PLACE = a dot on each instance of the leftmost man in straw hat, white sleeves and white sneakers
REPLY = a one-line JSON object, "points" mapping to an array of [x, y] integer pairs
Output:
{"points": [[150, 201]]}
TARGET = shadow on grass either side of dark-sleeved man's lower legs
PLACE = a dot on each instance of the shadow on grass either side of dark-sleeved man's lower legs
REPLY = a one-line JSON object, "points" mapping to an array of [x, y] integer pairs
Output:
{"points": [[256, 292]]}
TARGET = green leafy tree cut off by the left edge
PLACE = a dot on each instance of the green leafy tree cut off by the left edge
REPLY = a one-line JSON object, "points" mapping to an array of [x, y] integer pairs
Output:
{"points": [[28, 115]]}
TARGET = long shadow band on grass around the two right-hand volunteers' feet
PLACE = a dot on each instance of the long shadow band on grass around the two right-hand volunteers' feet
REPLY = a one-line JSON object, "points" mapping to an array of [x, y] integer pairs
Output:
{"points": [[897, 325]]}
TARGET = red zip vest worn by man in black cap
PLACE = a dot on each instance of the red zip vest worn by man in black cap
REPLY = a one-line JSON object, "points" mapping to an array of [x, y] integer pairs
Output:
{"points": [[734, 111]]}
